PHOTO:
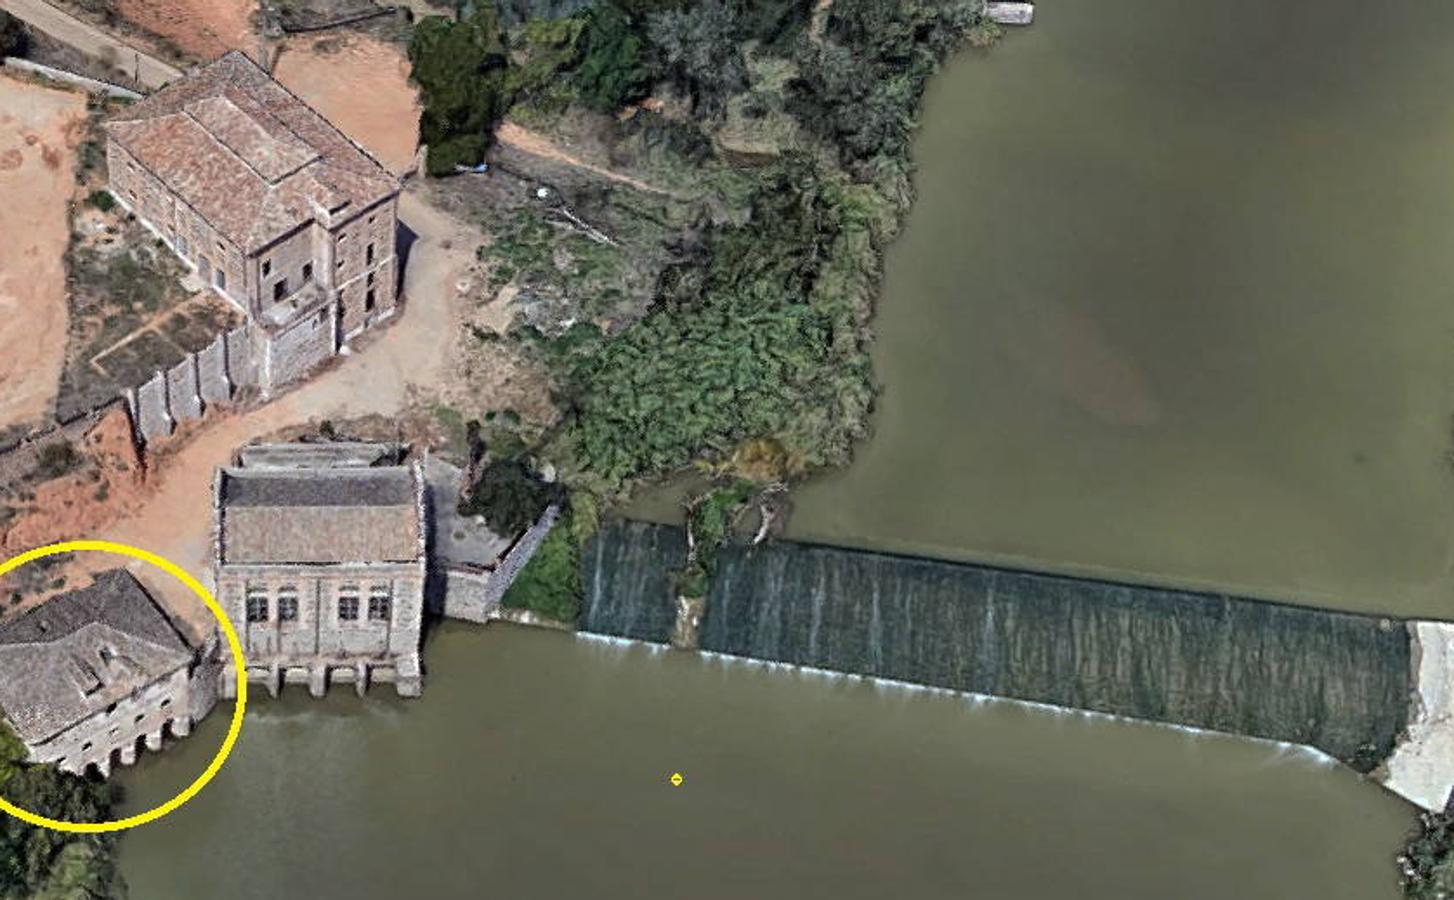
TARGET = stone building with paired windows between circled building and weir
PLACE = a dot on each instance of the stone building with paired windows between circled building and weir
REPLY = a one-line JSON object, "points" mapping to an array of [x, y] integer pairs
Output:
{"points": [[321, 566]]}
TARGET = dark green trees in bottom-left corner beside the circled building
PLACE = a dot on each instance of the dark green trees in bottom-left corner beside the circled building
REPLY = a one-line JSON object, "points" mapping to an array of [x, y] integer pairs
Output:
{"points": [[43, 864]]}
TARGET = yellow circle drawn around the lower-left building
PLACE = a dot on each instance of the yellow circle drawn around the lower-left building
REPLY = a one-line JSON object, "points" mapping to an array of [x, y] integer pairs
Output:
{"points": [[239, 707]]}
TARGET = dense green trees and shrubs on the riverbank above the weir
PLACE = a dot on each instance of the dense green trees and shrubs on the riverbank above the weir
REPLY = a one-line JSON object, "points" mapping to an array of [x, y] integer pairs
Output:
{"points": [[780, 136]]}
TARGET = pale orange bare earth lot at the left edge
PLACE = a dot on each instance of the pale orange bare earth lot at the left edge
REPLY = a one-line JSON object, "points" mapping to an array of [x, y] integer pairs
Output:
{"points": [[39, 133]]}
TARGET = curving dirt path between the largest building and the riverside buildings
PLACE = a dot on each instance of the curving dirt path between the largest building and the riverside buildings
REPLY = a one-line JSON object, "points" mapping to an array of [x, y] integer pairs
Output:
{"points": [[382, 379]]}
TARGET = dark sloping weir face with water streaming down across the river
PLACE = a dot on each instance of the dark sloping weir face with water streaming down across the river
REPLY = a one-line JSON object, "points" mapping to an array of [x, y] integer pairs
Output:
{"points": [[1334, 681]]}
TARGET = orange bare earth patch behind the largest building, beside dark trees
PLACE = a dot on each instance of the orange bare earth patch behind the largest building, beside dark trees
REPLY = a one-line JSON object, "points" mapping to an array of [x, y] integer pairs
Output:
{"points": [[361, 85]]}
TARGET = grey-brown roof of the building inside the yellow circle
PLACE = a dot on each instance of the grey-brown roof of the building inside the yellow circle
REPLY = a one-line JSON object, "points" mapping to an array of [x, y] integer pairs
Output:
{"points": [[81, 652]]}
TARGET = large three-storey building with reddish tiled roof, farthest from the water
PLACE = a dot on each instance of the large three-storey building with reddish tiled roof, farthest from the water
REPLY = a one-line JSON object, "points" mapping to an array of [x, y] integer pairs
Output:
{"points": [[274, 207]]}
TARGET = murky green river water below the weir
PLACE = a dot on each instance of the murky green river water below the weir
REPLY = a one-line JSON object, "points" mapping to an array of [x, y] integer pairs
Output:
{"points": [[537, 766]]}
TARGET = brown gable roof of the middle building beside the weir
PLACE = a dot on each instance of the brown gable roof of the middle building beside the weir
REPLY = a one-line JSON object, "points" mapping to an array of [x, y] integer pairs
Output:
{"points": [[321, 515]]}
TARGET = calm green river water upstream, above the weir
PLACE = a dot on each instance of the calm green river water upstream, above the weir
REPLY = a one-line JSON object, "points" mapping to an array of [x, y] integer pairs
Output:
{"points": [[1176, 305]]}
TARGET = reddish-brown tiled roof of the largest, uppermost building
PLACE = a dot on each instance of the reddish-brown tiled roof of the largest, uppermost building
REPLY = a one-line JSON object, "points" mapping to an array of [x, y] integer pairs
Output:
{"points": [[245, 153]]}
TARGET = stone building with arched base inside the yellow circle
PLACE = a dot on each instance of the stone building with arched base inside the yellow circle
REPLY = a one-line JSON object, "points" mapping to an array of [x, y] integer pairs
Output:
{"points": [[91, 675]]}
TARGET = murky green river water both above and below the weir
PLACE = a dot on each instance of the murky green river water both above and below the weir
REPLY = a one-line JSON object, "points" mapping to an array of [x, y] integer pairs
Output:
{"points": [[1174, 306]]}
